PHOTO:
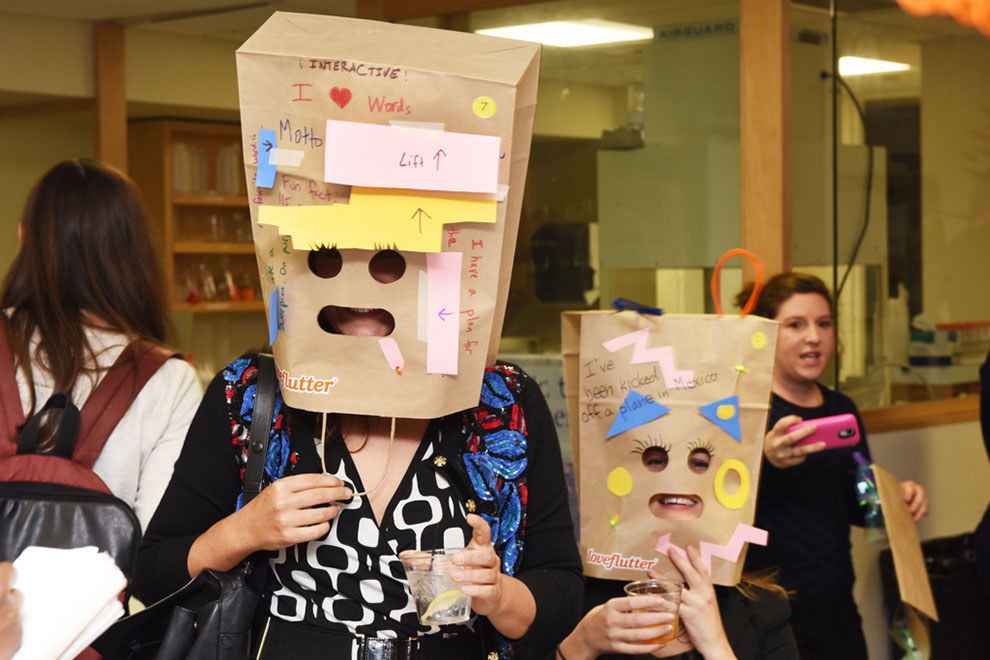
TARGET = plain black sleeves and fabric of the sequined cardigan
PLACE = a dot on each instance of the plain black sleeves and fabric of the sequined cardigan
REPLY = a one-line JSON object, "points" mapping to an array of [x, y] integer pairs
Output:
{"points": [[206, 483]]}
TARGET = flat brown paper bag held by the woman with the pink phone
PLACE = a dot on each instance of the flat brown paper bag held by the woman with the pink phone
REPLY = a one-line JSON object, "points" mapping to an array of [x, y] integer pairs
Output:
{"points": [[909, 562]]}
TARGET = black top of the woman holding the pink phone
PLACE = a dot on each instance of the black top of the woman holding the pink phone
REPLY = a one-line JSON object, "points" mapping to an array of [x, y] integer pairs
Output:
{"points": [[808, 509]]}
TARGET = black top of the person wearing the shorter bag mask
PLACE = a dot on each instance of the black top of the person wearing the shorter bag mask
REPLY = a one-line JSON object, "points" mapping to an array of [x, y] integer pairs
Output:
{"points": [[757, 628]]}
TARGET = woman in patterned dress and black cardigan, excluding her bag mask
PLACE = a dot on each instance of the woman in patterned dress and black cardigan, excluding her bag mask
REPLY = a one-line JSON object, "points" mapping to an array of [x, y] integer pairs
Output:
{"points": [[335, 572]]}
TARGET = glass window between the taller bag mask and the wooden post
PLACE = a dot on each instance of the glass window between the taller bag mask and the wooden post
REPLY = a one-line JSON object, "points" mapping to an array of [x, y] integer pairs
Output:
{"points": [[633, 182]]}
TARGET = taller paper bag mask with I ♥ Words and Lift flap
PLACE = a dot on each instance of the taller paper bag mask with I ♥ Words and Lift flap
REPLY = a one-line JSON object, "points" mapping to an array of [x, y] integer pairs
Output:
{"points": [[363, 138]]}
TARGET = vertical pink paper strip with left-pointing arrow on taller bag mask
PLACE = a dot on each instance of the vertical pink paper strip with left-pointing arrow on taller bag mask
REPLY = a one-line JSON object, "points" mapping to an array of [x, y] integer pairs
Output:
{"points": [[443, 271]]}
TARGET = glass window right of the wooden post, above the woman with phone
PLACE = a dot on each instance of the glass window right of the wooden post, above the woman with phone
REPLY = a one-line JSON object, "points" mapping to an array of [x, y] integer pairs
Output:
{"points": [[913, 221]]}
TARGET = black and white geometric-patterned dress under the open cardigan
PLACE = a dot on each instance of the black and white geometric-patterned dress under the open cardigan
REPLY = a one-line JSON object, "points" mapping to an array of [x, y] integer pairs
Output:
{"points": [[352, 580]]}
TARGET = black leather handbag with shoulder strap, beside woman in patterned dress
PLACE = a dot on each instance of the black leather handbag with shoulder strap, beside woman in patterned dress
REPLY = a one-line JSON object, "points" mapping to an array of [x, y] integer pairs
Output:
{"points": [[211, 617]]}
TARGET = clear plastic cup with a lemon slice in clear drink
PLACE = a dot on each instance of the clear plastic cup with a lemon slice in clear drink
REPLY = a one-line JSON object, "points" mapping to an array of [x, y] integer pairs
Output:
{"points": [[439, 600]]}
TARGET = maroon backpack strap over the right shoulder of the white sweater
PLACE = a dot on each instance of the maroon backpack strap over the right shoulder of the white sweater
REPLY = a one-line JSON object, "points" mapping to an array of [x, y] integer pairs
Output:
{"points": [[108, 403]]}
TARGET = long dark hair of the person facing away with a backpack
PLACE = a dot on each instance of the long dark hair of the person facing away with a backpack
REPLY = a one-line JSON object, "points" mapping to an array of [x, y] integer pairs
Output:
{"points": [[85, 259]]}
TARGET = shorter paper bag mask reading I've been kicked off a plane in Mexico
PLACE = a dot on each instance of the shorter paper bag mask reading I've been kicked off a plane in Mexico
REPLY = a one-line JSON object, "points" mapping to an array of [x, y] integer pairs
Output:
{"points": [[671, 412]]}
